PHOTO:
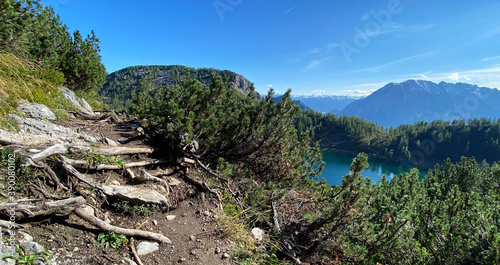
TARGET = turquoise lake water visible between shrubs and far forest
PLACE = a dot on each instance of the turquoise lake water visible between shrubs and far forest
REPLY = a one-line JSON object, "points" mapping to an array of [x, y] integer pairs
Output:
{"points": [[338, 165]]}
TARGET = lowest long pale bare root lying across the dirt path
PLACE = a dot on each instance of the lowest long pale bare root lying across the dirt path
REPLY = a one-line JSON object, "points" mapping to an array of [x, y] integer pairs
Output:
{"points": [[84, 213]]}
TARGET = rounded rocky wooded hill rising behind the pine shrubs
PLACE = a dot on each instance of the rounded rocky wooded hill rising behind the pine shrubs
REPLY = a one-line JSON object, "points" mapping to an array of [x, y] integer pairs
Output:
{"points": [[117, 89]]}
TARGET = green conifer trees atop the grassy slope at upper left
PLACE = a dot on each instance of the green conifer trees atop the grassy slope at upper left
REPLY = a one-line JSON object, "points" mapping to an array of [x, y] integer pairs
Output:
{"points": [[36, 33]]}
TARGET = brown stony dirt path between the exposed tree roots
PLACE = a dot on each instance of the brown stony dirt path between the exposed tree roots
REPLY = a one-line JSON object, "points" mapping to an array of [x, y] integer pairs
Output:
{"points": [[189, 221]]}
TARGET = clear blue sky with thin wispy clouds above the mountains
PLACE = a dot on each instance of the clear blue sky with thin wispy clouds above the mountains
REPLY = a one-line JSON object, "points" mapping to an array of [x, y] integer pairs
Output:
{"points": [[312, 47]]}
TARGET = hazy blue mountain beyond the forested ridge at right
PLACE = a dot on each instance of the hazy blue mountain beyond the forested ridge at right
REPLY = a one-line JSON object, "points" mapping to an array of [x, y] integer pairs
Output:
{"points": [[418, 100]]}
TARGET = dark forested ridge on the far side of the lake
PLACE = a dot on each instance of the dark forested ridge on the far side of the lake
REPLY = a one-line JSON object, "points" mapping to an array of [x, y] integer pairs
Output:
{"points": [[421, 145]]}
